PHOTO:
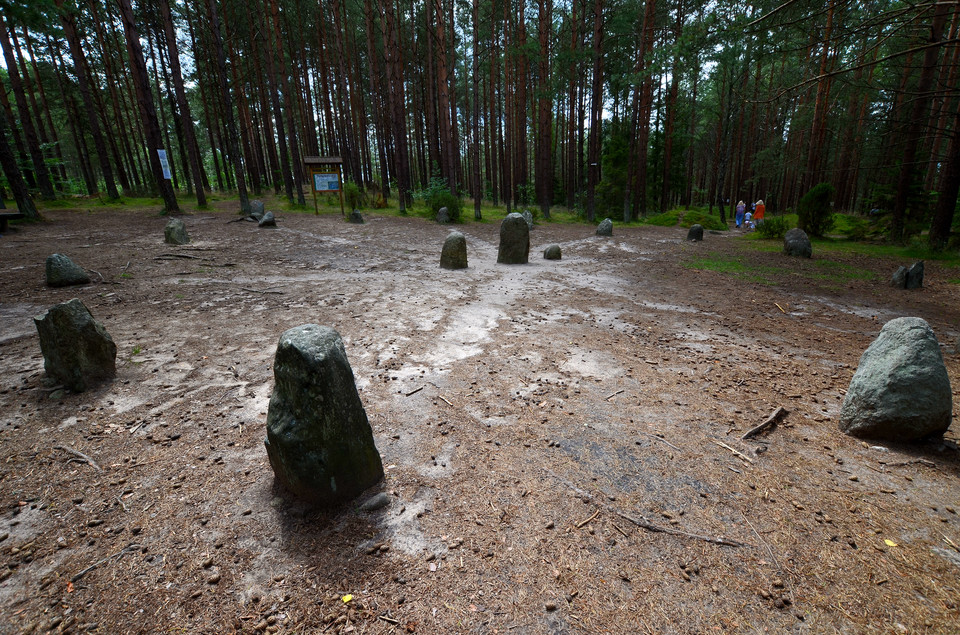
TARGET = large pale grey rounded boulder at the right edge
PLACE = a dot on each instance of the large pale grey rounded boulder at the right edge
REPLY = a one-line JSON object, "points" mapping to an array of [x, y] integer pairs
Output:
{"points": [[901, 391]]}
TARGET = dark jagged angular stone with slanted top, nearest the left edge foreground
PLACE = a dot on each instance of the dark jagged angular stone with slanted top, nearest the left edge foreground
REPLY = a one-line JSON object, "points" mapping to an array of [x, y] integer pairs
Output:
{"points": [[77, 351]]}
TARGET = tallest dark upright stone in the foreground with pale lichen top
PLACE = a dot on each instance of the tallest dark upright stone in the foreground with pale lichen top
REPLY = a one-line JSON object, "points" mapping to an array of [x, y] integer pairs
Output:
{"points": [[319, 441]]}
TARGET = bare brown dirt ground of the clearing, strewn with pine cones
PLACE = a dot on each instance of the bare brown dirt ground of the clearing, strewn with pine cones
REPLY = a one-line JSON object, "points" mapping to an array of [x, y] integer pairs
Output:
{"points": [[538, 424]]}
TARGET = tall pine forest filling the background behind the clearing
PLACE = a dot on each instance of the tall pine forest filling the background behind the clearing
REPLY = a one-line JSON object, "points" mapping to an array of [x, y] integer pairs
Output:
{"points": [[618, 108]]}
